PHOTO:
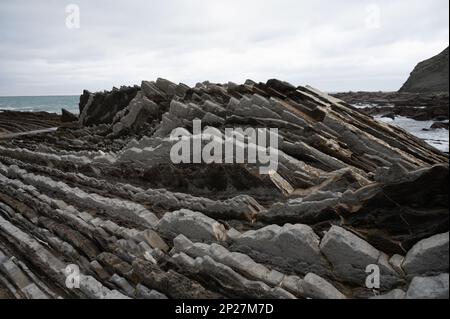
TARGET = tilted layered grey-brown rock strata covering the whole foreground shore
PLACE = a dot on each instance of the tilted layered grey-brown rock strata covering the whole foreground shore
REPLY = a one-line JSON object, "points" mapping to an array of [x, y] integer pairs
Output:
{"points": [[102, 194]]}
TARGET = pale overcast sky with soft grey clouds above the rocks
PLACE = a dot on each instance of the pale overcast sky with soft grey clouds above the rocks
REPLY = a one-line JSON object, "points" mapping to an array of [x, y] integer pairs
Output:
{"points": [[332, 45]]}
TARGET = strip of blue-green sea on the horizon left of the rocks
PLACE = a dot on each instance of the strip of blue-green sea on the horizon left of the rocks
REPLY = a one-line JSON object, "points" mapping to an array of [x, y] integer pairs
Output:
{"points": [[52, 104]]}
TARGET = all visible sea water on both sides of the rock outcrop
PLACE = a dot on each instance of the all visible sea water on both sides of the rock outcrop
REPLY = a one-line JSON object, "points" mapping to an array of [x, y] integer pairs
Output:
{"points": [[53, 104]]}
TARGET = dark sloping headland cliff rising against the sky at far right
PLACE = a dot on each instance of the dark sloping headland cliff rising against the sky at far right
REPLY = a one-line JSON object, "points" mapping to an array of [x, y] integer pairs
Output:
{"points": [[430, 75]]}
